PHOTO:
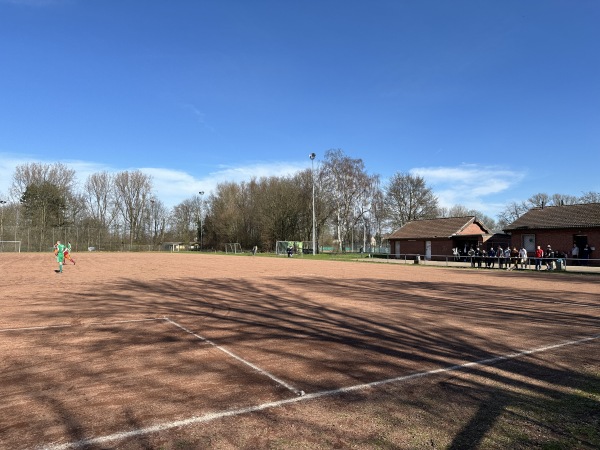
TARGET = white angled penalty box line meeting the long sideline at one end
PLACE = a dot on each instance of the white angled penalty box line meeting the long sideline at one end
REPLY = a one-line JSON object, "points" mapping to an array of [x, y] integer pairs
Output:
{"points": [[245, 362]]}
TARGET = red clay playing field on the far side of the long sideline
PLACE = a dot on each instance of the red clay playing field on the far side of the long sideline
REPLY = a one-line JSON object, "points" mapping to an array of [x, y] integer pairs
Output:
{"points": [[123, 342]]}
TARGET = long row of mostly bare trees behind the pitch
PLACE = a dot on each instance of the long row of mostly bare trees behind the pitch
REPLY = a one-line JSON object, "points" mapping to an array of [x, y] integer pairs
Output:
{"points": [[352, 207]]}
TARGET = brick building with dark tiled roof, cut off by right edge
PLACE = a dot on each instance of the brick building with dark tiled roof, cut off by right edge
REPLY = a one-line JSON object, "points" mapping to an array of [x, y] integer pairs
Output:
{"points": [[559, 227]]}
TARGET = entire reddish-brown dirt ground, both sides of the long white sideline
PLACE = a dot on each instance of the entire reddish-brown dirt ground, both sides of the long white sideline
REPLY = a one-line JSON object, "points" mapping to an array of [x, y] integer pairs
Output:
{"points": [[178, 351]]}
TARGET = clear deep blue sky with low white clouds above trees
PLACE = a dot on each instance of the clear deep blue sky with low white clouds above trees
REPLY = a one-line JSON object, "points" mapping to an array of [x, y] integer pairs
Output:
{"points": [[490, 101]]}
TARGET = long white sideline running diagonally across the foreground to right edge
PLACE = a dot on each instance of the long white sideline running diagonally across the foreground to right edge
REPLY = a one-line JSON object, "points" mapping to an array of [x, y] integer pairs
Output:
{"points": [[235, 412]]}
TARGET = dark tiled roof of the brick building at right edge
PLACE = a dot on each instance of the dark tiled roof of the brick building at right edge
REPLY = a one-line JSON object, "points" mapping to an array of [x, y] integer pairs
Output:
{"points": [[568, 216]]}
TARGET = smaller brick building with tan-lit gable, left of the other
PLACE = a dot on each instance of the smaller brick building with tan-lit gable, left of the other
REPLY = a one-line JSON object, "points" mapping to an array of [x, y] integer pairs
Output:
{"points": [[440, 237]]}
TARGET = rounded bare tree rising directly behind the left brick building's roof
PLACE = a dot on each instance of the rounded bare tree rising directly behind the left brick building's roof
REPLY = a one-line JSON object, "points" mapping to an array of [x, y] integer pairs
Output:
{"points": [[408, 198]]}
